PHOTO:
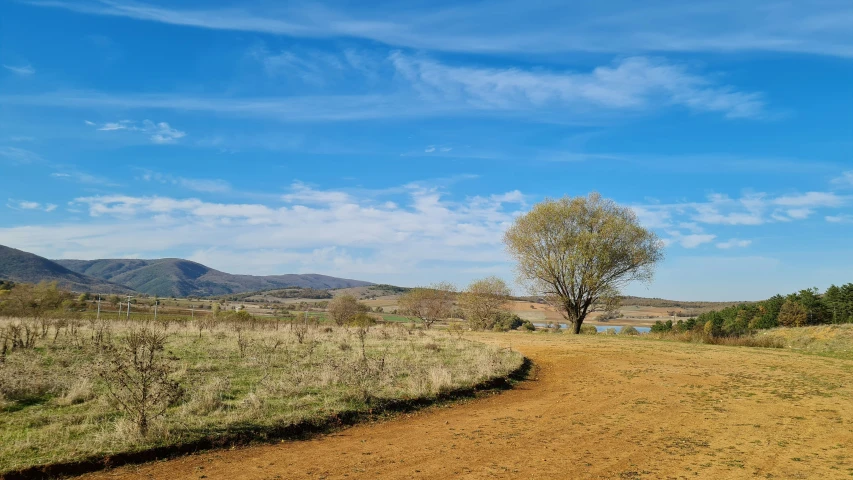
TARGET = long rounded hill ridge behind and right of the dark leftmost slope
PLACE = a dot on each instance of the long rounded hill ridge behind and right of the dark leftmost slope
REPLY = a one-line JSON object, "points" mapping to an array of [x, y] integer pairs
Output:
{"points": [[174, 277]]}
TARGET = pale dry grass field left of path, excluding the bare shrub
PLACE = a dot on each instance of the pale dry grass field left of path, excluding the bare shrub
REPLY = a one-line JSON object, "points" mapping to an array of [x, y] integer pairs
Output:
{"points": [[236, 377]]}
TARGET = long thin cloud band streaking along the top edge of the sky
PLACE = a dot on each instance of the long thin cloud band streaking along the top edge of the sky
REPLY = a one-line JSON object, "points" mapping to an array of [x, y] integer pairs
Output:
{"points": [[512, 26]]}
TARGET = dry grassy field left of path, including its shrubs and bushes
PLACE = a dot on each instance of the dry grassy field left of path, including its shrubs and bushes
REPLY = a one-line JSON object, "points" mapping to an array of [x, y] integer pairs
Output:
{"points": [[74, 386]]}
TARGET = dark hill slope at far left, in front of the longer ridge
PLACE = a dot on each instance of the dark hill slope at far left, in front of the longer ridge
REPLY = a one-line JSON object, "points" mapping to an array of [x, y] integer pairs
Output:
{"points": [[20, 266]]}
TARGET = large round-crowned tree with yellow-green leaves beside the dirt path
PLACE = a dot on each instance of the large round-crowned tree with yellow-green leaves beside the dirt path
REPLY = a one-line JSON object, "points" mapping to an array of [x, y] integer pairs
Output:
{"points": [[579, 252]]}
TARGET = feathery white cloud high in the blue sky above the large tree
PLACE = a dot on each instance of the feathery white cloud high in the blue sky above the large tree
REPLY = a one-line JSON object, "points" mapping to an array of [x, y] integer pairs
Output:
{"points": [[633, 83]]}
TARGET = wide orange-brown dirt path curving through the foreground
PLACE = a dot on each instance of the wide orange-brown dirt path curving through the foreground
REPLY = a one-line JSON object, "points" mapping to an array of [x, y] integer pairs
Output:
{"points": [[599, 408]]}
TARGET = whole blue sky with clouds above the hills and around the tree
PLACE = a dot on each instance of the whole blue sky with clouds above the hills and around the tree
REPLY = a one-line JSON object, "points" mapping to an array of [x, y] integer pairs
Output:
{"points": [[395, 141]]}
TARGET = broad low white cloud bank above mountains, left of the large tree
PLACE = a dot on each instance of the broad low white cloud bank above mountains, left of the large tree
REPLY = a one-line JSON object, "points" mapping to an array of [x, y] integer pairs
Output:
{"points": [[321, 230]]}
